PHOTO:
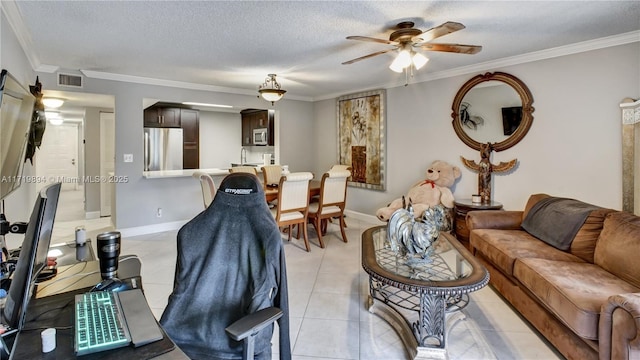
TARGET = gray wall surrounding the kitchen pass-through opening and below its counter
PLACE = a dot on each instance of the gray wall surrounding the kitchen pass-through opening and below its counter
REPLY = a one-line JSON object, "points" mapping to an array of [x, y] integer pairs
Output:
{"points": [[137, 201]]}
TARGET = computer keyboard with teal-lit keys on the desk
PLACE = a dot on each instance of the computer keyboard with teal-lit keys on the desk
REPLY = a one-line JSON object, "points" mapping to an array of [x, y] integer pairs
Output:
{"points": [[100, 324]]}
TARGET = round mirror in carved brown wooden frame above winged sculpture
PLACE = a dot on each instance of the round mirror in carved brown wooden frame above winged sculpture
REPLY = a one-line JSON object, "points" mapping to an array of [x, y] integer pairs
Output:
{"points": [[492, 108]]}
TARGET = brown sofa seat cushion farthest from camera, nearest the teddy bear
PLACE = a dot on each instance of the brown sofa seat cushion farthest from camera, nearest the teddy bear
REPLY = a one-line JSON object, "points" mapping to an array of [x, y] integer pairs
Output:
{"points": [[503, 247]]}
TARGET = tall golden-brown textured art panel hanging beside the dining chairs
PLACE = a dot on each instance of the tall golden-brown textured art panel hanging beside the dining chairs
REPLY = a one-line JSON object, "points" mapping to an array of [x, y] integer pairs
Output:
{"points": [[361, 137]]}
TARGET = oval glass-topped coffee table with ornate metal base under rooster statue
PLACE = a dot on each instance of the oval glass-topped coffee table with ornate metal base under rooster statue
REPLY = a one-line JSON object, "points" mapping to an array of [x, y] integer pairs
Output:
{"points": [[420, 299]]}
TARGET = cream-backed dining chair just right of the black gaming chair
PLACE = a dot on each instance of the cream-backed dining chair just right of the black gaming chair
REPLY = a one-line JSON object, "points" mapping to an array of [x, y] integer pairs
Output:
{"points": [[293, 203]]}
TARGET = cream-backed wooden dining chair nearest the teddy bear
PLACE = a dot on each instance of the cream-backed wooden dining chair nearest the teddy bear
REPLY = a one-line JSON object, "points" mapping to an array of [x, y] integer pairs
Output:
{"points": [[333, 194]]}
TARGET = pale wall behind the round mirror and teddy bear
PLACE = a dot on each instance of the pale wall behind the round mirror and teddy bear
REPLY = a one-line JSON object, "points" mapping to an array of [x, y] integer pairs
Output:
{"points": [[573, 148]]}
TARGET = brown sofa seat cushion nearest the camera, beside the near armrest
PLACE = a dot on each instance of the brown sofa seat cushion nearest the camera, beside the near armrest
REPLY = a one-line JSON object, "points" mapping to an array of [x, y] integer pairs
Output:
{"points": [[573, 291]]}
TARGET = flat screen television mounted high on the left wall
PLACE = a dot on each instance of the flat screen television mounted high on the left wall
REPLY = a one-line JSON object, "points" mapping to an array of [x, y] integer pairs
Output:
{"points": [[16, 112]]}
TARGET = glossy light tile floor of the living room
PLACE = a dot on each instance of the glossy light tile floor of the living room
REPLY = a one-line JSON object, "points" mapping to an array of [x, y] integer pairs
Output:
{"points": [[327, 293]]}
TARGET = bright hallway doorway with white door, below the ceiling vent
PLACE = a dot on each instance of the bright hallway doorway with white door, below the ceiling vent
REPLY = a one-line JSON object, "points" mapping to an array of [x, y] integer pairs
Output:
{"points": [[82, 195]]}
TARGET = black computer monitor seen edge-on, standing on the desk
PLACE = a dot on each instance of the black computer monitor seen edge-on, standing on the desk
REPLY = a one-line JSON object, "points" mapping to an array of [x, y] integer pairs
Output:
{"points": [[33, 256]]}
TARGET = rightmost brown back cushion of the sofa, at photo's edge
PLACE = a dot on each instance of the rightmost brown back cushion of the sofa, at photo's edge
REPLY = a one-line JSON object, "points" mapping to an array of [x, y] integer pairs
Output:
{"points": [[618, 247]]}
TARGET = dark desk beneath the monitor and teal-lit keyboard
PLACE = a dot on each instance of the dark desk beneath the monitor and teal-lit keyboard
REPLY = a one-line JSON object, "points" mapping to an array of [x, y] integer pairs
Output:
{"points": [[53, 307]]}
